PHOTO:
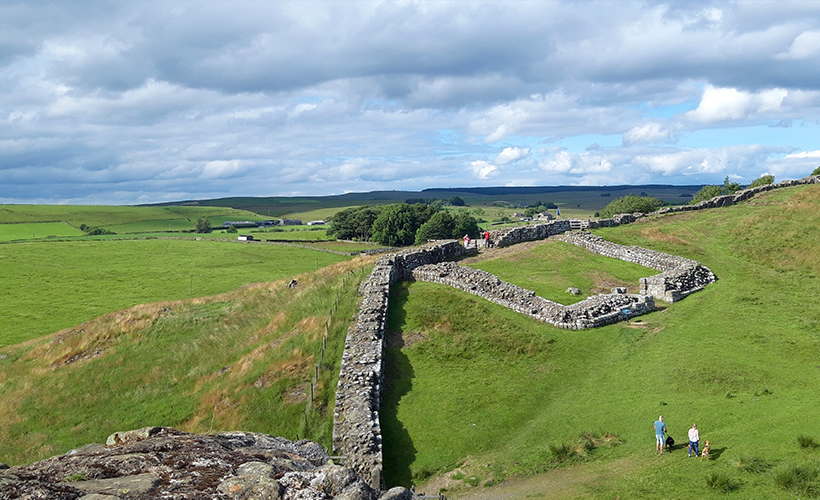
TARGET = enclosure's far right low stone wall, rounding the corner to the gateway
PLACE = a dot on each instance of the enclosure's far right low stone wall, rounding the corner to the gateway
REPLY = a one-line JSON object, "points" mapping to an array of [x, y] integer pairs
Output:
{"points": [[680, 276]]}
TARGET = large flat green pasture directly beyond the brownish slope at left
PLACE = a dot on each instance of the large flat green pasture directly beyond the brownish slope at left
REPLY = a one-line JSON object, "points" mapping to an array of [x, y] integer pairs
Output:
{"points": [[53, 285]]}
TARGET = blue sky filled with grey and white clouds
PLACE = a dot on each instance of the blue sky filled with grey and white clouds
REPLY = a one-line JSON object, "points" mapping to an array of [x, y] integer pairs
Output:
{"points": [[130, 102]]}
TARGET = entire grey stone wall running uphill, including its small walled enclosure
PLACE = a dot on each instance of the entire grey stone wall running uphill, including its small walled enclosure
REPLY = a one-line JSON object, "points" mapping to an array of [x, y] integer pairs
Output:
{"points": [[356, 428]]}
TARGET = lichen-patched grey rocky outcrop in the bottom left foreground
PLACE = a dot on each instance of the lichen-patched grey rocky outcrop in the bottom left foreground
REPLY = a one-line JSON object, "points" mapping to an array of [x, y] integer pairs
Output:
{"points": [[160, 462]]}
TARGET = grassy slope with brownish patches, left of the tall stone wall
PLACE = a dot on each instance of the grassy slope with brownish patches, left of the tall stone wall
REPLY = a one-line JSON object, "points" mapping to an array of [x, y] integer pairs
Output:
{"points": [[241, 360]]}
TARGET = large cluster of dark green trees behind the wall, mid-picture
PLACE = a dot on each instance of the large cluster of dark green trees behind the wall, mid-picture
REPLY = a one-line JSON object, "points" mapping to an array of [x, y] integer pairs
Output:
{"points": [[400, 224]]}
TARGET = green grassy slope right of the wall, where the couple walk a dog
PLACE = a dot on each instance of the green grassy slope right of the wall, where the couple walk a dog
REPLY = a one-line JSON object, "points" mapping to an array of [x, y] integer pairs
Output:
{"points": [[494, 389]]}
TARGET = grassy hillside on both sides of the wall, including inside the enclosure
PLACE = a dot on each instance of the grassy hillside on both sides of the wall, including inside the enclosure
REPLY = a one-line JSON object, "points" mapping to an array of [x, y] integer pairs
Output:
{"points": [[480, 401]]}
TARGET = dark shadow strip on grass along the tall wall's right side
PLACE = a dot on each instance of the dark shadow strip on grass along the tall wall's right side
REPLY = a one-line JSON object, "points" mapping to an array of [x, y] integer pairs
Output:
{"points": [[397, 445]]}
